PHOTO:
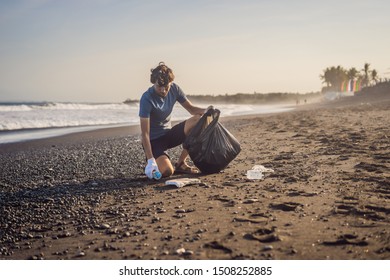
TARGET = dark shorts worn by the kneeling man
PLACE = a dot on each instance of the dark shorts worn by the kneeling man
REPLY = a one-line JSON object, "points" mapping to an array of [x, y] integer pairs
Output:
{"points": [[174, 137]]}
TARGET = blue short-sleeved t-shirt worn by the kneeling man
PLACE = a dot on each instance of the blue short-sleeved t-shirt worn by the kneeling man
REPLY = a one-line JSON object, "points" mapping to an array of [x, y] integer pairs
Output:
{"points": [[158, 109]]}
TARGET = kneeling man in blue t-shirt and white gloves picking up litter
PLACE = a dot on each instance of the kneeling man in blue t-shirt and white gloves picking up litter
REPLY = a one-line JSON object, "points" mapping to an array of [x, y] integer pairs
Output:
{"points": [[156, 106]]}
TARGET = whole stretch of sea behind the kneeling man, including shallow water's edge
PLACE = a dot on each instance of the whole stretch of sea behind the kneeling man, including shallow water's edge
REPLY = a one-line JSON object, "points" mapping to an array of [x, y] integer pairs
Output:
{"points": [[26, 121]]}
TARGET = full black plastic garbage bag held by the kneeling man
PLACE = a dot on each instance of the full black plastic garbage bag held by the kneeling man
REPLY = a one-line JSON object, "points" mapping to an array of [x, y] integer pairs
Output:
{"points": [[211, 146]]}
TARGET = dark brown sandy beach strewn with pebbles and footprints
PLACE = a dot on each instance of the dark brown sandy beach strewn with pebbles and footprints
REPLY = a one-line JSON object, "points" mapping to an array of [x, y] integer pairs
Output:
{"points": [[84, 196]]}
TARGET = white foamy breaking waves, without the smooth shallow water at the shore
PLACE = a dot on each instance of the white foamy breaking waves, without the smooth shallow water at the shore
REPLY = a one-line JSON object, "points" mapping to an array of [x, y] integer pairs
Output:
{"points": [[56, 115]]}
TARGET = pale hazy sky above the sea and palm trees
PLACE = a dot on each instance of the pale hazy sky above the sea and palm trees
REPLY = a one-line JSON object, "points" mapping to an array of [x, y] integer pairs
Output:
{"points": [[103, 50]]}
